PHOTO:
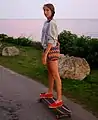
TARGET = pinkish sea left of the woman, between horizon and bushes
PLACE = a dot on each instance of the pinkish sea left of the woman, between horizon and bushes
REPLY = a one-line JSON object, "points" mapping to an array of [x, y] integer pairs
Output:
{"points": [[19, 27]]}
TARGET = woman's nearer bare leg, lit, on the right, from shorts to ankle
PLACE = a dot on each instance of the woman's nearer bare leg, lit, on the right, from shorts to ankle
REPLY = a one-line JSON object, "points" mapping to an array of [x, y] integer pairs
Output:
{"points": [[53, 65]]}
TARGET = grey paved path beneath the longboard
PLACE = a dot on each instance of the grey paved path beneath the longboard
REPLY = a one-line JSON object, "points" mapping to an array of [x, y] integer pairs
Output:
{"points": [[18, 99]]}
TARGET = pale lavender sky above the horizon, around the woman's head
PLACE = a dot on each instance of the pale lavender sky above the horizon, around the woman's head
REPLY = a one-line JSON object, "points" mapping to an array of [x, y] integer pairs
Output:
{"points": [[32, 9]]}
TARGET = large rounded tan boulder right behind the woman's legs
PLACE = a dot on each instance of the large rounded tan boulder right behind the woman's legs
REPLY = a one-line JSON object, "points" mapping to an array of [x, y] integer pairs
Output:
{"points": [[73, 67]]}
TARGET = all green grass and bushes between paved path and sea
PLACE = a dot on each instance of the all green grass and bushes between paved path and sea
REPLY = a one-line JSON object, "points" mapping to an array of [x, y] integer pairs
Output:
{"points": [[29, 63]]}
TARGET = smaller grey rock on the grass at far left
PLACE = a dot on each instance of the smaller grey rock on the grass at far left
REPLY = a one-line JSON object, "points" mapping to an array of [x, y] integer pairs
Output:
{"points": [[10, 51]]}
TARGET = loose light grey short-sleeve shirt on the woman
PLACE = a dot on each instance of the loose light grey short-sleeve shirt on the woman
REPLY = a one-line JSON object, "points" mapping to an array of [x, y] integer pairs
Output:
{"points": [[49, 33]]}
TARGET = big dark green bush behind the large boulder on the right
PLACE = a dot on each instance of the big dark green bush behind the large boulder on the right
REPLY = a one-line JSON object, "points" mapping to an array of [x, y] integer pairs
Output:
{"points": [[82, 46]]}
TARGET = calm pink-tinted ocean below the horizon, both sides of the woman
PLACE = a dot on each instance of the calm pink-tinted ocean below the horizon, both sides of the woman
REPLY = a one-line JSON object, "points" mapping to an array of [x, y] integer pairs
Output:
{"points": [[32, 28]]}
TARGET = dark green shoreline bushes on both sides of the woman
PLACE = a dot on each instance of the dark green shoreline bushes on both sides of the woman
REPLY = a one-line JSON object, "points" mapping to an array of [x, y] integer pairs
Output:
{"points": [[70, 44]]}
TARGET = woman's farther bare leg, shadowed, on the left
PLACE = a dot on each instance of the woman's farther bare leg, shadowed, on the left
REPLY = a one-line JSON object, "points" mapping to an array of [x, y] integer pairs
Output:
{"points": [[50, 79]]}
